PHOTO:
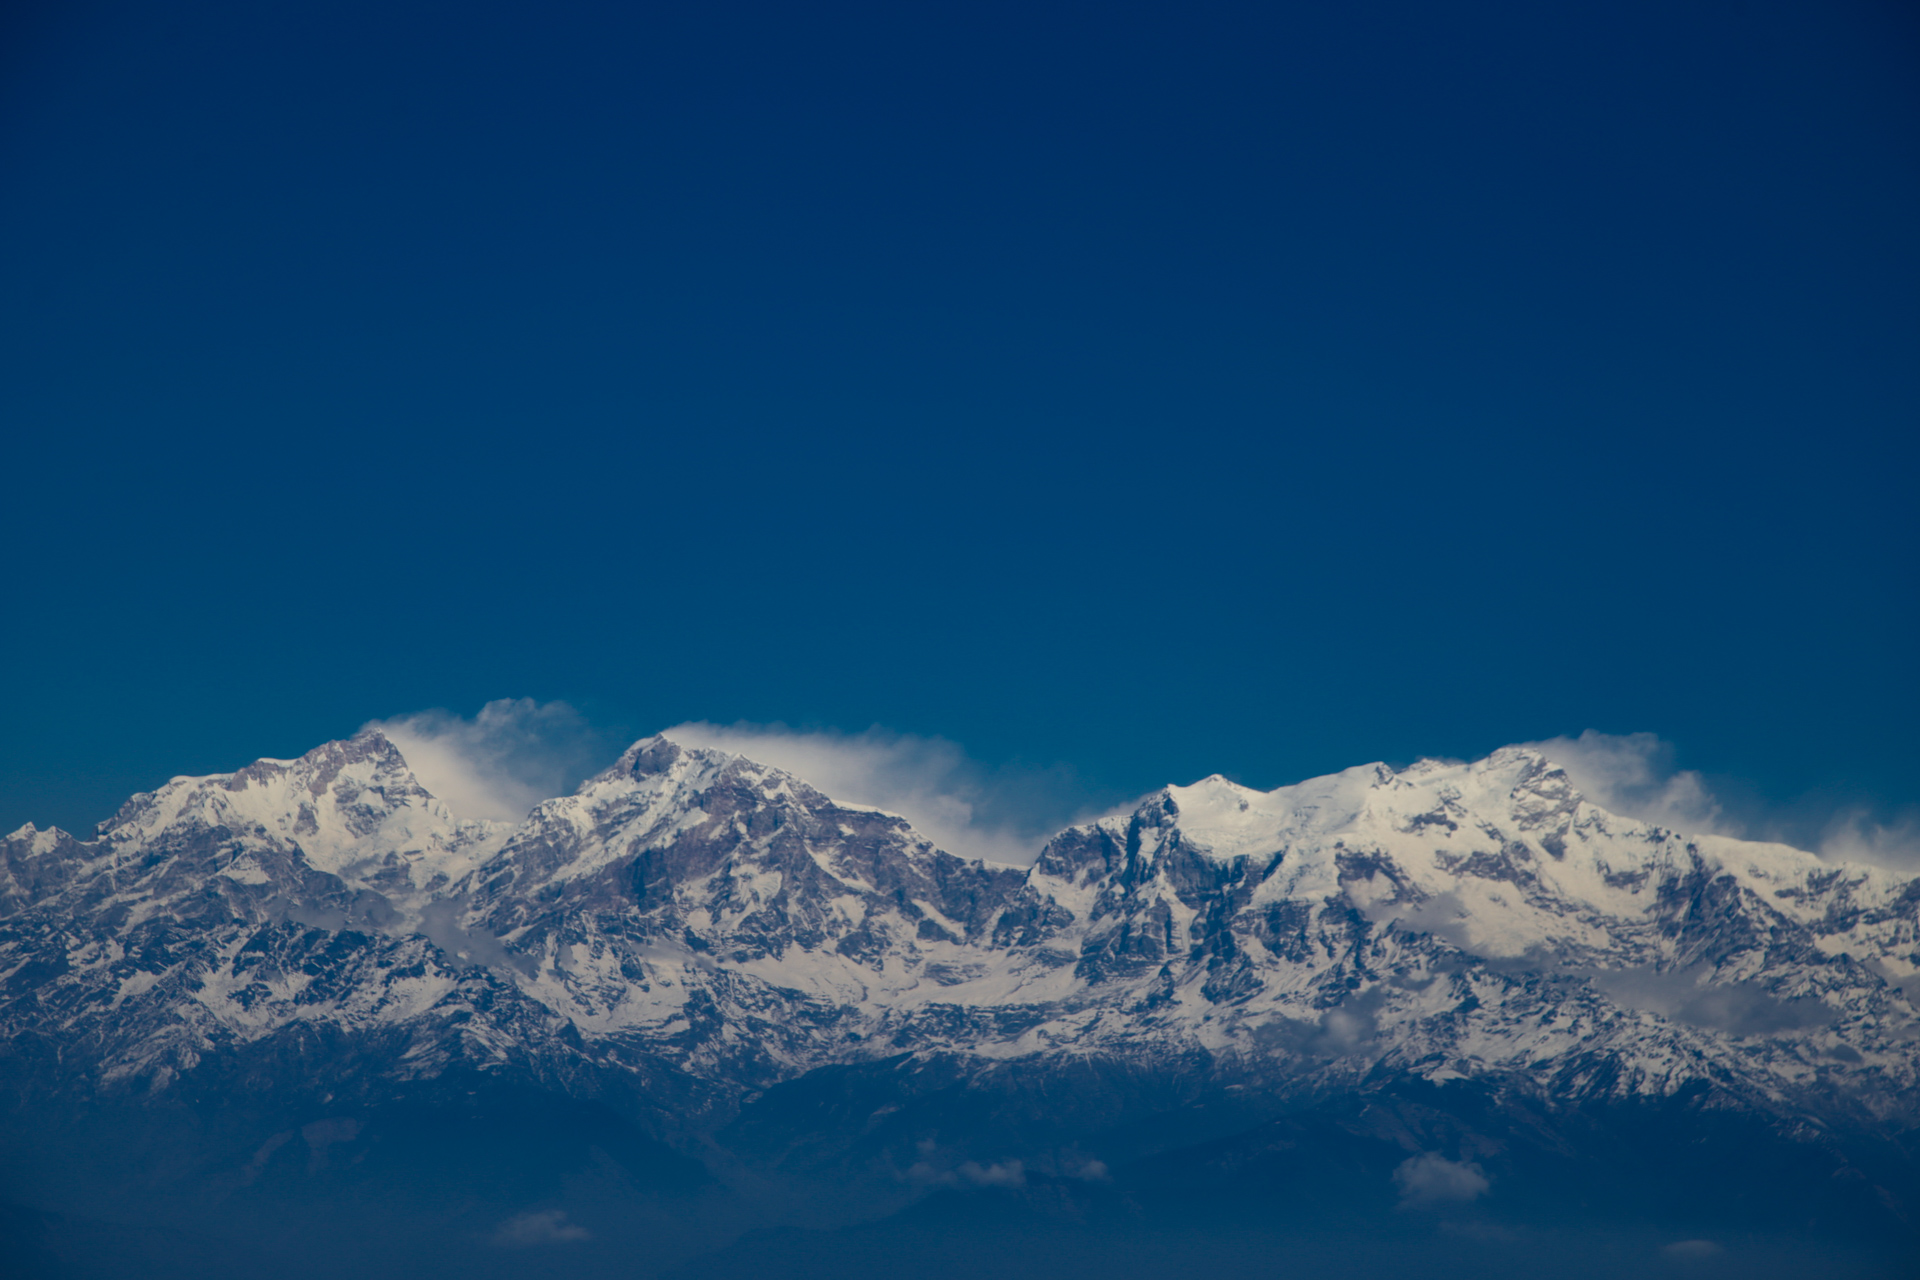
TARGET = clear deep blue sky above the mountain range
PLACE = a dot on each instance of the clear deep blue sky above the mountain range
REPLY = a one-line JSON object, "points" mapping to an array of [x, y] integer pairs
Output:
{"points": [[1151, 389]]}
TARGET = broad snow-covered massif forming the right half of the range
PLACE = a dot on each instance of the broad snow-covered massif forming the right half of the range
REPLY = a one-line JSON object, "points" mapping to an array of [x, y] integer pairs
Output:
{"points": [[1485, 920]]}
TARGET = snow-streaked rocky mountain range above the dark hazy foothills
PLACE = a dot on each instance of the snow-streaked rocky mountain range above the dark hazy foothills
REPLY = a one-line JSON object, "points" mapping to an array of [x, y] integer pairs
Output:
{"points": [[698, 913]]}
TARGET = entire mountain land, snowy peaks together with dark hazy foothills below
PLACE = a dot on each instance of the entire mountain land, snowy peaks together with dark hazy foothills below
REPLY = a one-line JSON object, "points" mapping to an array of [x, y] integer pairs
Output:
{"points": [[702, 1020]]}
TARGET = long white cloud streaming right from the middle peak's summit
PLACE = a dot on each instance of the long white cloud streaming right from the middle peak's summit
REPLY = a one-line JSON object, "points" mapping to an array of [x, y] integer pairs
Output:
{"points": [[926, 780]]}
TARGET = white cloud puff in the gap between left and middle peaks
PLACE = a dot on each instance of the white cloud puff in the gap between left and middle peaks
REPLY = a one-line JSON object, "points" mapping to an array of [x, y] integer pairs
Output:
{"points": [[502, 763]]}
